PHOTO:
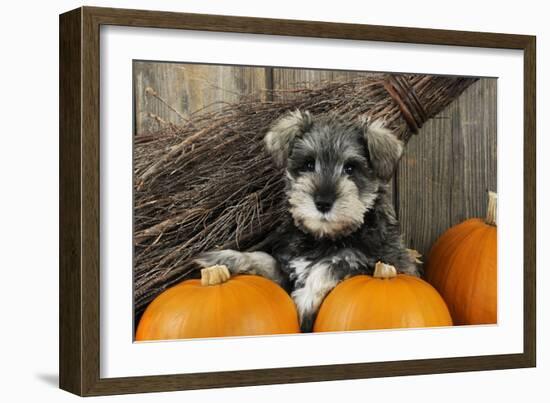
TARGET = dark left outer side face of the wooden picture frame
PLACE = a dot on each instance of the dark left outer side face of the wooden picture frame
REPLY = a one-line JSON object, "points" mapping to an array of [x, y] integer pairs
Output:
{"points": [[70, 274]]}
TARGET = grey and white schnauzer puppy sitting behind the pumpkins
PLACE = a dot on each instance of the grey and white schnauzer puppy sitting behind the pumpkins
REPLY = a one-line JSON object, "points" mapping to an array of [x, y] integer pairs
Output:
{"points": [[340, 220]]}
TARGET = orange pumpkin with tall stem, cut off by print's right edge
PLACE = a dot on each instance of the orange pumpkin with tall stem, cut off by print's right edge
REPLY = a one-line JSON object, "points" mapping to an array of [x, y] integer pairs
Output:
{"points": [[462, 266]]}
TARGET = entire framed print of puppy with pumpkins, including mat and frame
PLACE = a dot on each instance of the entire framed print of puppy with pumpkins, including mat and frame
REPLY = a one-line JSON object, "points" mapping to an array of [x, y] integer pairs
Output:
{"points": [[250, 201]]}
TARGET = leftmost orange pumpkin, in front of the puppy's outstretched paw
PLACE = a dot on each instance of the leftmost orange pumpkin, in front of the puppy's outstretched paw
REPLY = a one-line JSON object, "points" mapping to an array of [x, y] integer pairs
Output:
{"points": [[219, 305]]}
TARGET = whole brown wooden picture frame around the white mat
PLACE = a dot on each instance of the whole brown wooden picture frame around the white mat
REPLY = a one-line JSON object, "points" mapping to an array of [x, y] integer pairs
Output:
{"points": [[80, 184]]}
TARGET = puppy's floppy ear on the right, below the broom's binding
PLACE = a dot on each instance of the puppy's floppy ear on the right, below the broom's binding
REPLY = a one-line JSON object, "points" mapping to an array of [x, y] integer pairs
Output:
{"points": [[385, 149]]}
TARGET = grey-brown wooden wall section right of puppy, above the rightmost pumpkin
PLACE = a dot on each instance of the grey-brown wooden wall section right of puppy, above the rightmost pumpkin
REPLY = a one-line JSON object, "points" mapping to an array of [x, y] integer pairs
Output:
{"points": [[449, 166]]}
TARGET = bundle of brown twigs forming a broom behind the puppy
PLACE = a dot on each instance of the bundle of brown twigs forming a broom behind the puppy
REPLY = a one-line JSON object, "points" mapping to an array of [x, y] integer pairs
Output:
{"points": [[210, 184]]}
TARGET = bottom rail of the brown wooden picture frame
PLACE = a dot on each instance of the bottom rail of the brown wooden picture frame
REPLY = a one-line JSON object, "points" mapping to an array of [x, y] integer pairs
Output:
{"points": [[162, 383]]}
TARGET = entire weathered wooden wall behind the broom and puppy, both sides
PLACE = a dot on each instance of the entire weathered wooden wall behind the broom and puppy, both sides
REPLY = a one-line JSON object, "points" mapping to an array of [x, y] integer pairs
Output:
{"points": [[441, 180]]}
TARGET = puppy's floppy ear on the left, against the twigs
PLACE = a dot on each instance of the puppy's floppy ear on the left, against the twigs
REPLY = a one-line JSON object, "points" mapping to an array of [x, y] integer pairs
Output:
{"points": [[282, 133]]}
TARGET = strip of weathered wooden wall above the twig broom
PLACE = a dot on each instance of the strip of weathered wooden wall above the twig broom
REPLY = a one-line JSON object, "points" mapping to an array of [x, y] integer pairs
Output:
{"points": [[173, 92]]}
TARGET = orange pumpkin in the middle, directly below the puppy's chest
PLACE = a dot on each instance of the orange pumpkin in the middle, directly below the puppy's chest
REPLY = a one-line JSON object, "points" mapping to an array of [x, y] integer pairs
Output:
{"points": [[384, 301]]}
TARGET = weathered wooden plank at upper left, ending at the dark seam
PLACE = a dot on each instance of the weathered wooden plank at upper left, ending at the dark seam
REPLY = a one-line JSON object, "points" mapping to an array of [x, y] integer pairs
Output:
{"points": [[172, 92]]}
